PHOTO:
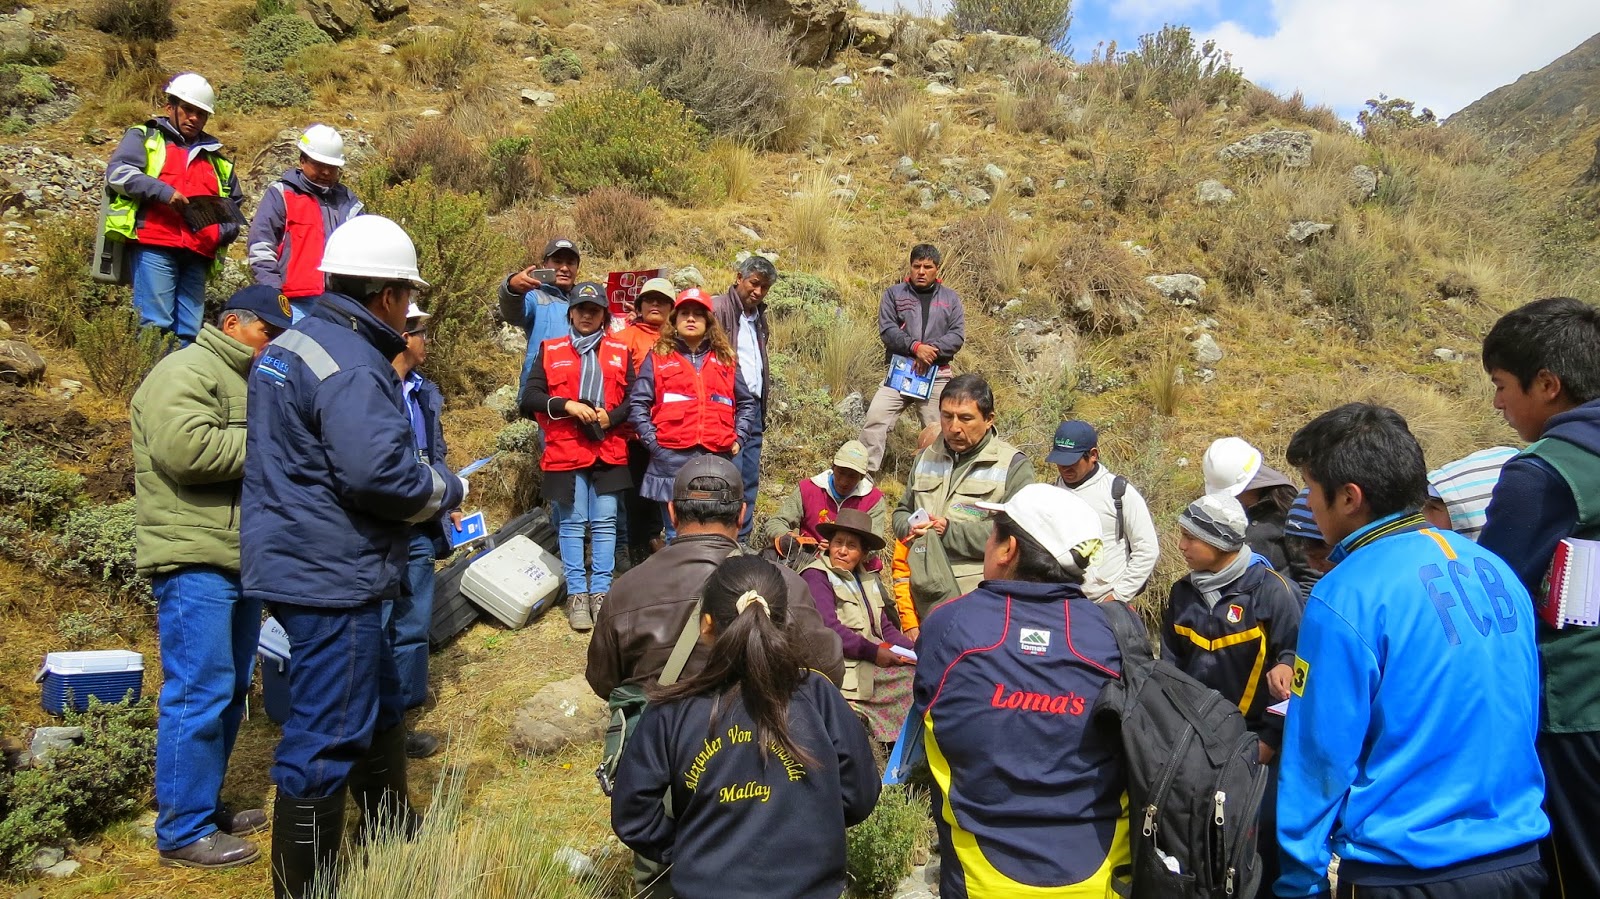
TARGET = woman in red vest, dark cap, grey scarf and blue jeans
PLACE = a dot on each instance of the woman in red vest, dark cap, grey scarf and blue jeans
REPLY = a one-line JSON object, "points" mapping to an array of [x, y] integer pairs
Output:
{"points": [[577, 391]]}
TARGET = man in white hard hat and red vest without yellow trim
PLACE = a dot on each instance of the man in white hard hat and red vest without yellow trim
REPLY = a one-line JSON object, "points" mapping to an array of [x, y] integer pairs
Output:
{"points": [[297, 217]]}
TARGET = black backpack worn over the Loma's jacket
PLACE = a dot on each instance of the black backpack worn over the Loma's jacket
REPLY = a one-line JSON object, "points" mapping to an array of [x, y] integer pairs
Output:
{"points": [[1194, 775]]}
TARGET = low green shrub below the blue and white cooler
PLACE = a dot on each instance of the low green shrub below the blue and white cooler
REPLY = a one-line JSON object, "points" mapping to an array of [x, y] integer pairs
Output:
{"points": [[84, 788]]}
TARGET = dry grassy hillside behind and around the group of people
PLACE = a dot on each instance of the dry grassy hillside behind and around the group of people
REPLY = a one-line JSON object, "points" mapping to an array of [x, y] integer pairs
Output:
{"points": [[1055, 191]]}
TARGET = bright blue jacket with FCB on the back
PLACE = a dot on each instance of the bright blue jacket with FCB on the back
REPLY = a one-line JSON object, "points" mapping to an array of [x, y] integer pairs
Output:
{"points": [[1410, 740]]}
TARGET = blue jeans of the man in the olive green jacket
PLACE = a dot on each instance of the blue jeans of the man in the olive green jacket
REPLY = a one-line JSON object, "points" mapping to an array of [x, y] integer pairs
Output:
{"points": [[209, 649]]}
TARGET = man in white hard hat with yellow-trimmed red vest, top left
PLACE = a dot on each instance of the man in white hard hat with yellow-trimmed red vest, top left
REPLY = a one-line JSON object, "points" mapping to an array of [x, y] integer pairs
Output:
{"points": [[153, 177]]}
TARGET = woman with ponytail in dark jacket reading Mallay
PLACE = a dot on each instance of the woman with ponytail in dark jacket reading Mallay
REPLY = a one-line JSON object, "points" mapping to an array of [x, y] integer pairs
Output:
{"points": [[745, 777]]}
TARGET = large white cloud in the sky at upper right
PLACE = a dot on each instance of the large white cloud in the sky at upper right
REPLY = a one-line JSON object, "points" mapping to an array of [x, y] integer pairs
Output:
{"points": [[1439, 54]]}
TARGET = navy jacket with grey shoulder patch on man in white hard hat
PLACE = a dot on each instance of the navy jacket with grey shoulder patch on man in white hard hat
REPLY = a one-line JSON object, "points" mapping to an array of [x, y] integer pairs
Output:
{"points": [[332, 476]]}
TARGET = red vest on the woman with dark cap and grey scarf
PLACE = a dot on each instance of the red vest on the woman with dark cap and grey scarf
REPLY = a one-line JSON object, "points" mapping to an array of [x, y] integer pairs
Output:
{"points": [[566, 446]]}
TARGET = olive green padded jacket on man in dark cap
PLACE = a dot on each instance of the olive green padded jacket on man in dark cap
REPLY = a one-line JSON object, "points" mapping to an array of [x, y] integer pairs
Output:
{"points": [[190, 455]]}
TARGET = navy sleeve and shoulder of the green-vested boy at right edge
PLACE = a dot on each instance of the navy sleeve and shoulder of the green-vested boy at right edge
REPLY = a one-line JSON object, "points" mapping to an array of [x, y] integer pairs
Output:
{"points": [[1534, 508]]}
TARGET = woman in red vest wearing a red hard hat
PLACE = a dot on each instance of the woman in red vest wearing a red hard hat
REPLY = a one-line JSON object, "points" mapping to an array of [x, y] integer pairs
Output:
{"points": [[689, 398]]}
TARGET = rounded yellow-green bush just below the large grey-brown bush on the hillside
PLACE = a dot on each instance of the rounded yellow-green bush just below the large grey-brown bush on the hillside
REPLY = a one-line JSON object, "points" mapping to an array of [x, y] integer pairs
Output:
{"points": [[630, 140]]}
